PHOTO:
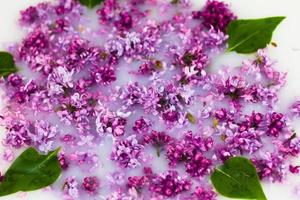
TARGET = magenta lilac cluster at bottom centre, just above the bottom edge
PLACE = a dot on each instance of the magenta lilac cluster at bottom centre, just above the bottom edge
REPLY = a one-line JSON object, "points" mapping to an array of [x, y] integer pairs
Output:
{"points": [[169, 184]]}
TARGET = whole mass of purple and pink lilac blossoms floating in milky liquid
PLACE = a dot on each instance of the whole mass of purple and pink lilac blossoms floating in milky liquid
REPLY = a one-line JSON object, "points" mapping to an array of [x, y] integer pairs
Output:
{"points": [[195, 117]]}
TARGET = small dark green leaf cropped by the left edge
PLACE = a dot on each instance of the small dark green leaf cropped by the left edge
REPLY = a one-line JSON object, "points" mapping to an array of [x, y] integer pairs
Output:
{"points": [[7, 64]]}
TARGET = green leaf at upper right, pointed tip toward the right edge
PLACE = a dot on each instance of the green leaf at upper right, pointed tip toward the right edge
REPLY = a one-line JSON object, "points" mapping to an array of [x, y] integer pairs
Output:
{"points": [[249, 35]]}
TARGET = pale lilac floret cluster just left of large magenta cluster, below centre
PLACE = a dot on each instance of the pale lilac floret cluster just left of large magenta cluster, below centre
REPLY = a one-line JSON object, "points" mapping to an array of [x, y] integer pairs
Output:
{"points": [[128, 153]]}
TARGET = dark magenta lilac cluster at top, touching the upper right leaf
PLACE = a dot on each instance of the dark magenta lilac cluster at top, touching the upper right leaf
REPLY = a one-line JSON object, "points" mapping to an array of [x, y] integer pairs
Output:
{"points": [[217, 15]]}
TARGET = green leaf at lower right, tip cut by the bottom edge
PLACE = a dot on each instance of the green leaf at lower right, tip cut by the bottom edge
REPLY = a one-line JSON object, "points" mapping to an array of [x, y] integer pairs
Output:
{"points": [[238, 179]]}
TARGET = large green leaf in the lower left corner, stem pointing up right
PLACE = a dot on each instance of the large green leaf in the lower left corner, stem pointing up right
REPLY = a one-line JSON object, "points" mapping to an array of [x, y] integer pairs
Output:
{"points": [[31, 171]]}
